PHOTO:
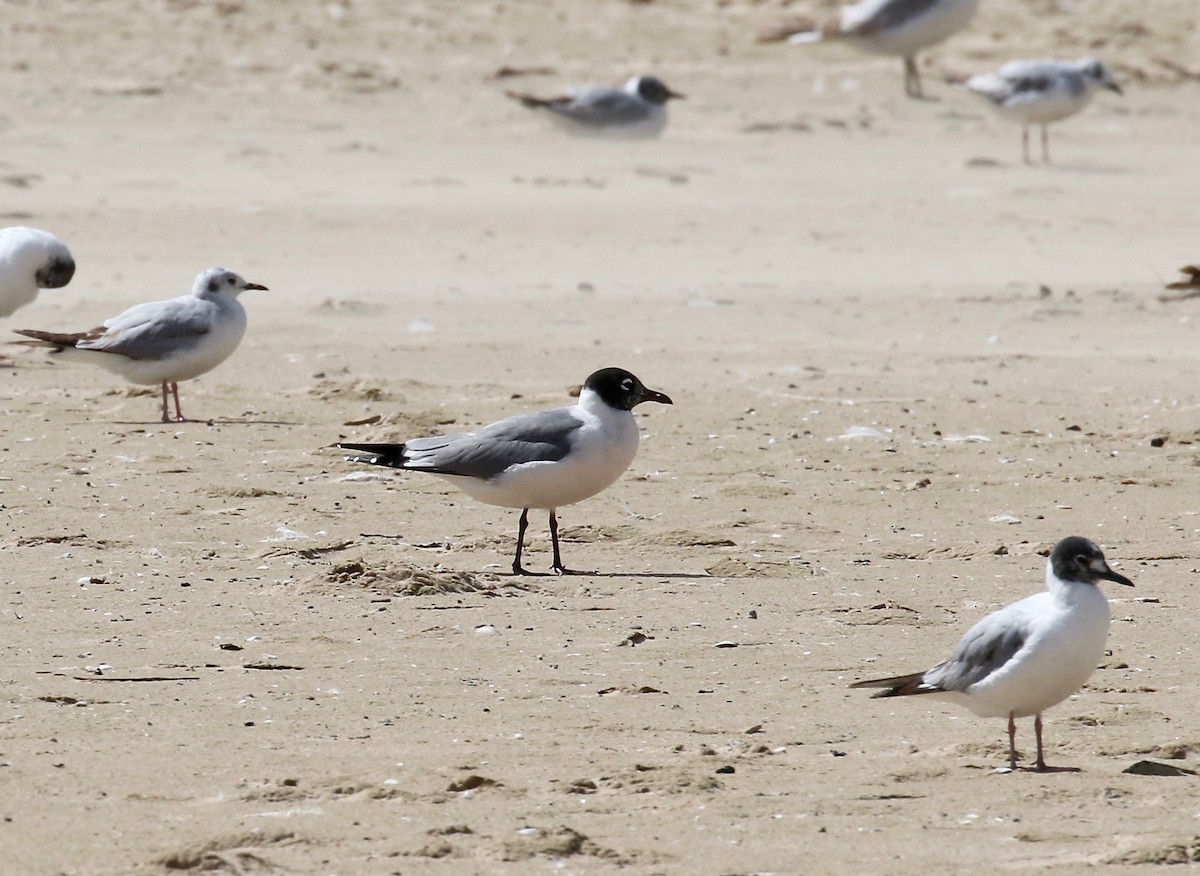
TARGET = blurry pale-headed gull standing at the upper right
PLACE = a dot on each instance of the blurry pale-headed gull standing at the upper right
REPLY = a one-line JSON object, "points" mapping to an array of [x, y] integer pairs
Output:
{"points": [[1041, 92]]}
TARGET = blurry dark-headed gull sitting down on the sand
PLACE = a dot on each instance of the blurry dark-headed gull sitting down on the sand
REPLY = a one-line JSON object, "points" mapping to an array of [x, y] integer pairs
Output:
{"points": [[637, 111]]}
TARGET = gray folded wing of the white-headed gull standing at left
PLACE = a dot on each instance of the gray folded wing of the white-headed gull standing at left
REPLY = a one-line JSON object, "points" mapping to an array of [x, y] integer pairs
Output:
{"points": [[154, 331]]}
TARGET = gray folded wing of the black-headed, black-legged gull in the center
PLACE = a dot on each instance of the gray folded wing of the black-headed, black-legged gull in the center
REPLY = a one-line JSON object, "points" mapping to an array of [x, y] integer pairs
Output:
{"points": [[538, 437]]}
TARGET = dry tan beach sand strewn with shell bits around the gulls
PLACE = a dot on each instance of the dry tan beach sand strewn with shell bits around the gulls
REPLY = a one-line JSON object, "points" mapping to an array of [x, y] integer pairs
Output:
{"points": [[223, 656]]}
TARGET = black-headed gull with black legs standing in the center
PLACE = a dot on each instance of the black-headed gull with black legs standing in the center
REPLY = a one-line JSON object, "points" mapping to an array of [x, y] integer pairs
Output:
{"points": [[541, 460]]}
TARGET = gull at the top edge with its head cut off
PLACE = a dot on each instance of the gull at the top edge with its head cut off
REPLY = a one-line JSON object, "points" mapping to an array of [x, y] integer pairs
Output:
{"points": [[889, 28]]}
